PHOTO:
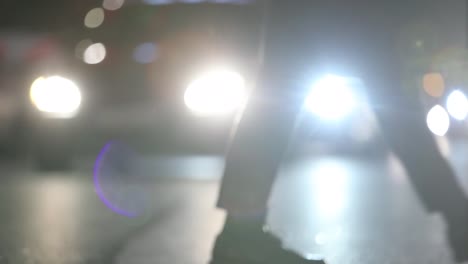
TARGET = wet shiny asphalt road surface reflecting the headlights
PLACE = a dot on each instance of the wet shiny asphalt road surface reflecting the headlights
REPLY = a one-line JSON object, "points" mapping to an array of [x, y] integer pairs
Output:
{"points": [[349, 210]]}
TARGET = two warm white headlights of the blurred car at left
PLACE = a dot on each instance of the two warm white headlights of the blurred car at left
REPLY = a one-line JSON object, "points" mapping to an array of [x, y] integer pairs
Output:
{"points": [[215, 93]]}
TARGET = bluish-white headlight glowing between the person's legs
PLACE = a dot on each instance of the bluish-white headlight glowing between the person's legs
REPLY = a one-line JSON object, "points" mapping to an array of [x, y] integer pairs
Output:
{"points": [[331, 98]]}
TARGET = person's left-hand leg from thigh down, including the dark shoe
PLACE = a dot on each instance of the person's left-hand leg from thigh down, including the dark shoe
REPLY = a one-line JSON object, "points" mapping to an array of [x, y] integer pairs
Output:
{"points": [[255, 153]]}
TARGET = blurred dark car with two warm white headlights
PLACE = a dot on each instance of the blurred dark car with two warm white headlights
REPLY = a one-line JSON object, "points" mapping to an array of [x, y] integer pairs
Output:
{"points": [[124, 81]]}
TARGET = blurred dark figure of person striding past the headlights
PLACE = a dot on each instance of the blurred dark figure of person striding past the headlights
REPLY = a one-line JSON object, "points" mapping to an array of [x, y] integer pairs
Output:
{"points": [[307, 38]]}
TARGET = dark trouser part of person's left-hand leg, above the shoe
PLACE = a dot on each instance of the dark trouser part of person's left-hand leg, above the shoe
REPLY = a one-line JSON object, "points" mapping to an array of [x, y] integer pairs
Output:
{"points": [[256, 151]]}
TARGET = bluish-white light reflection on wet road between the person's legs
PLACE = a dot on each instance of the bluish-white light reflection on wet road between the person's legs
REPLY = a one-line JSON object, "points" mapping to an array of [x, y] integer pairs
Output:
{"points": [[364, 215]]}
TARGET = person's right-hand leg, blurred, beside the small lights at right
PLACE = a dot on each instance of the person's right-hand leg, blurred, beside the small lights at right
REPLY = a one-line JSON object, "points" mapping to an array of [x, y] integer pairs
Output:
{"points": [[403, 124]]}
